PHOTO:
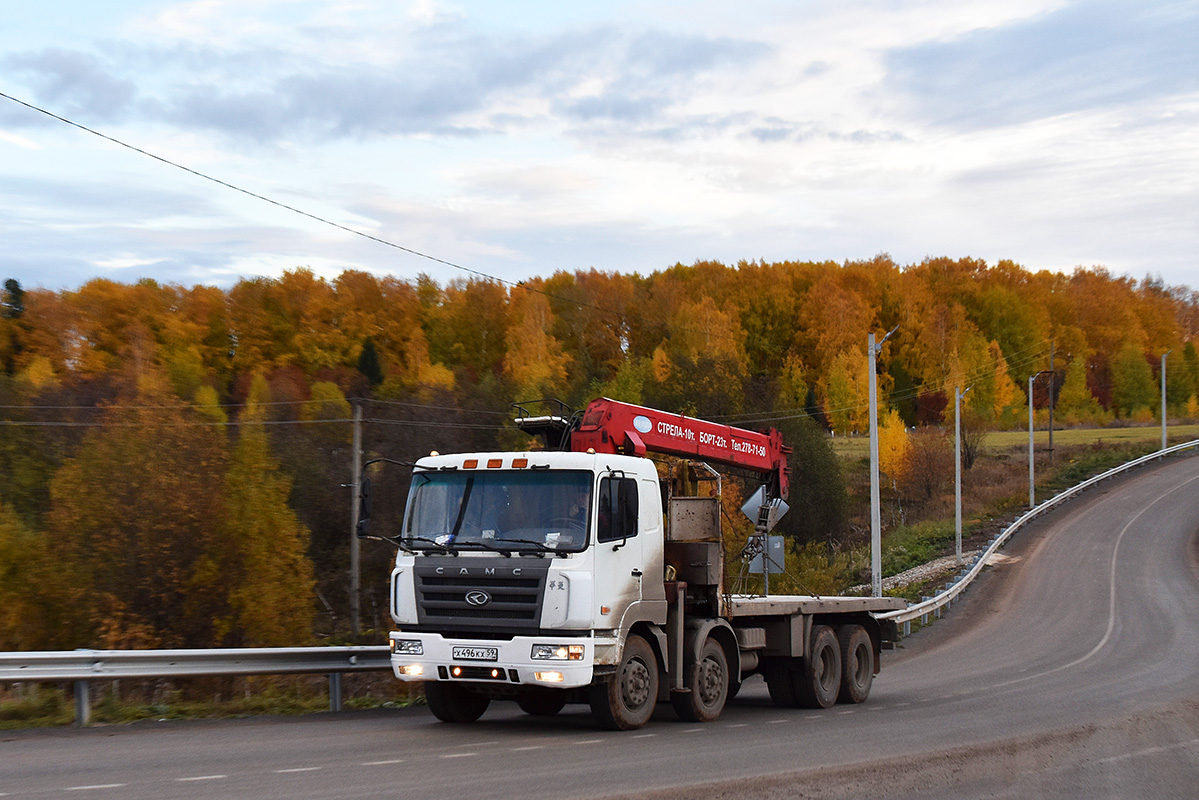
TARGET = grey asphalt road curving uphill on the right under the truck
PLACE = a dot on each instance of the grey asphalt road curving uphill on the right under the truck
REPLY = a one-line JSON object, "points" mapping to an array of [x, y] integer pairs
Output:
{"points": [[1071, 671]]}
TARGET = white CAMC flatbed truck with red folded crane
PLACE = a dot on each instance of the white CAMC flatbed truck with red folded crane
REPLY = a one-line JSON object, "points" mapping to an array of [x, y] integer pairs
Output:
{"points": [[575, 574]]}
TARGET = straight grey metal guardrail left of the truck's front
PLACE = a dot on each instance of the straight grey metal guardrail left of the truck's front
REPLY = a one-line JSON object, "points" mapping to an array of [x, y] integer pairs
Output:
{"points": [[85, 666]]}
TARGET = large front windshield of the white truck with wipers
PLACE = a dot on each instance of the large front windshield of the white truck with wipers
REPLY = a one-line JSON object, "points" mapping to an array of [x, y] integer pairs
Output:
{"points": [[510, 512]]}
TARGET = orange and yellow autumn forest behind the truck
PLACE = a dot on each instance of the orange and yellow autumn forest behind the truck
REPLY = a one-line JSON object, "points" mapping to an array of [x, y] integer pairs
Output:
{"points": [[174, 461]]}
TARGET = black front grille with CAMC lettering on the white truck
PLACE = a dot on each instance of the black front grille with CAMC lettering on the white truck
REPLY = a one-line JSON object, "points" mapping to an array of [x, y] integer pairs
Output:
{"points": [[459, 594]]}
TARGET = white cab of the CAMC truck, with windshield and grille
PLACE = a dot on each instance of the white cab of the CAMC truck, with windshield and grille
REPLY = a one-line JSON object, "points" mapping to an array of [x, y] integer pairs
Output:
{"points": [[523, 568]]}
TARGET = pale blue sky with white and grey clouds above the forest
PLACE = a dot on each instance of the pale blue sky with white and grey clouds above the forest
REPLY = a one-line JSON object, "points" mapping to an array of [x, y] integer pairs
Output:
{"points": [[522, 137]]}
